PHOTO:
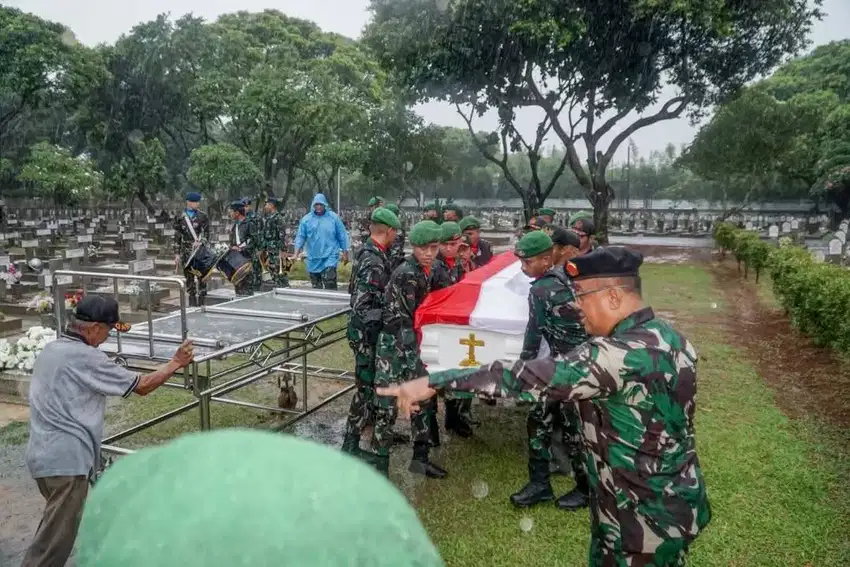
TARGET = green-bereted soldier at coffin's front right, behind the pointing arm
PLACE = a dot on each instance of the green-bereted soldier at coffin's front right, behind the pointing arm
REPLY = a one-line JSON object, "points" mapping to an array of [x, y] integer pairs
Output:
{"points": [[553, 317]]}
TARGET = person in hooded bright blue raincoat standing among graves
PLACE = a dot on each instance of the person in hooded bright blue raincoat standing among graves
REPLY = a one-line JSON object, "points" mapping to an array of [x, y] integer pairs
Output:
{"points": [[322, 236]]}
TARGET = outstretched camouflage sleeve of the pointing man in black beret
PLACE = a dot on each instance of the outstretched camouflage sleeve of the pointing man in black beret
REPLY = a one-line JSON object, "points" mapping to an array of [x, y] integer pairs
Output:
{"points": [[593, 370]]}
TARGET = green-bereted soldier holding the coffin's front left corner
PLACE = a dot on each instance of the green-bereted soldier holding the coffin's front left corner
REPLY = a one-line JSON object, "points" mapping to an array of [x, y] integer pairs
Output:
{"points": [[397, 357]]}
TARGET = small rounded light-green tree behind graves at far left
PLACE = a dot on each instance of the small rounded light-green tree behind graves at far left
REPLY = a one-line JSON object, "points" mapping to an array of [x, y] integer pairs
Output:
{"points": [[56, 174]]}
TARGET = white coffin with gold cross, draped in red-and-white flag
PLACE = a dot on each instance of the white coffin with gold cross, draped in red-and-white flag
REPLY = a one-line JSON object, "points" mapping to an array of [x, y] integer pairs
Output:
{"points": [[477, 321]]}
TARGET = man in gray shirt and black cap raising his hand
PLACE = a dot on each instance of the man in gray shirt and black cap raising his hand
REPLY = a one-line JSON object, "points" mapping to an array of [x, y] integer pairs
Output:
{"points": [[71, 380]]}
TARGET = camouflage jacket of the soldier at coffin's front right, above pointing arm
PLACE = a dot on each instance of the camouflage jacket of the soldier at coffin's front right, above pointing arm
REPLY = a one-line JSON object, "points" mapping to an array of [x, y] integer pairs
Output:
{"points": [[552, 316]]}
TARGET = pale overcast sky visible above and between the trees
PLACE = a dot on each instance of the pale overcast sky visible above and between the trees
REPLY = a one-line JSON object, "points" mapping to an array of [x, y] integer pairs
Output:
{"points": [[96, 21]]}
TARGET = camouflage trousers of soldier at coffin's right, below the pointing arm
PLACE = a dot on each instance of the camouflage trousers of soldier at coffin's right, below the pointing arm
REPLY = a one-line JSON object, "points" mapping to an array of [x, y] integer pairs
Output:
{"points": [[541, 422]]}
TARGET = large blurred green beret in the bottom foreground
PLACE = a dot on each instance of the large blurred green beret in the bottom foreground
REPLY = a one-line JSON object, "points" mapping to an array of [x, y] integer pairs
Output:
{"points": [[319, 507]]}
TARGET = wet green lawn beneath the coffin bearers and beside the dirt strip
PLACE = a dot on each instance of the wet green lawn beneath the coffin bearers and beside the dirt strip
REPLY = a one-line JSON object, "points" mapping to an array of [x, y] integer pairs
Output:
{"points": [[774, 482]]}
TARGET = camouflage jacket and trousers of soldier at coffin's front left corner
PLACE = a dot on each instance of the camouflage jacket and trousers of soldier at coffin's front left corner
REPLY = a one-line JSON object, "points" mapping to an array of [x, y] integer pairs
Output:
{"points": [[397, 356]]}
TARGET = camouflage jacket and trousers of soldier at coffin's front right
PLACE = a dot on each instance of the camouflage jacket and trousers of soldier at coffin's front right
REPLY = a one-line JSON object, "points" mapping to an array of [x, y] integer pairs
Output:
{"points": [[552, 317]]}
